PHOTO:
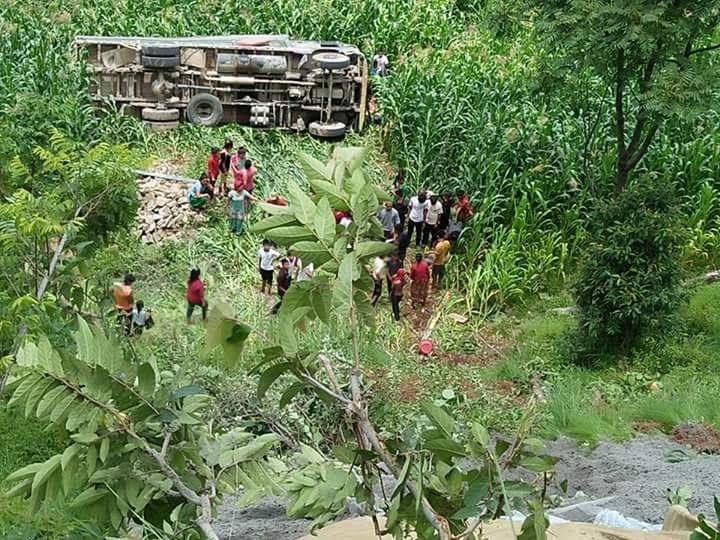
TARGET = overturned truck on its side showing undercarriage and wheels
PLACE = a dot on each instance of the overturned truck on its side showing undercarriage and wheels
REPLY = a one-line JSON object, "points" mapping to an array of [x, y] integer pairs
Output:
{"points": [[260, 81]]}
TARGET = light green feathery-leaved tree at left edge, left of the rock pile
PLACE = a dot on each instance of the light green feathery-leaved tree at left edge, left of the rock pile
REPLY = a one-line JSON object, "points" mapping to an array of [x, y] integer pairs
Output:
{"points": [[59, 209]]}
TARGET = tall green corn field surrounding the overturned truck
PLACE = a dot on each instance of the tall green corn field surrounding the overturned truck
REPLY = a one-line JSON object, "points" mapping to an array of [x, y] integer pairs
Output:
{"points": [[468, 107]]}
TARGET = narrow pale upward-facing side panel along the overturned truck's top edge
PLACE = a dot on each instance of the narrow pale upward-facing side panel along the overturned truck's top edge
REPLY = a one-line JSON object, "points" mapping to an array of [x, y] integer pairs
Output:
{"points": [[268, 42]]}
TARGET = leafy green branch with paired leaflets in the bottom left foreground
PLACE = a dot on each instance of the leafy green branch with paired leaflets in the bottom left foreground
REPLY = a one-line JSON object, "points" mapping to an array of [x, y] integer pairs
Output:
{"points": [[140, 456]]}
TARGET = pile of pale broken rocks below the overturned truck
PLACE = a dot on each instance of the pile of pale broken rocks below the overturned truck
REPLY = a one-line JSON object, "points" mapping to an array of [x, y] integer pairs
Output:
{"points": [[164, 211]]}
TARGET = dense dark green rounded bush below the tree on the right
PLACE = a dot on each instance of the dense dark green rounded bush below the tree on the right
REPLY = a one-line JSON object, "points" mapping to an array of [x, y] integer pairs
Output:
{"points": [[630, 279]]}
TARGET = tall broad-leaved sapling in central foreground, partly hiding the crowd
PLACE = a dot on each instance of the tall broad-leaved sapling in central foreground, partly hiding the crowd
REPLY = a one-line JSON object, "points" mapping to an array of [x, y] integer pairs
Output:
{"points": [[435, 495]]}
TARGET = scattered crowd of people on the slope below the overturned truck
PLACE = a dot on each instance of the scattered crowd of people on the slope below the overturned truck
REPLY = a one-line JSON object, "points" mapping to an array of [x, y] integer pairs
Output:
{"points": [[434, 221]]}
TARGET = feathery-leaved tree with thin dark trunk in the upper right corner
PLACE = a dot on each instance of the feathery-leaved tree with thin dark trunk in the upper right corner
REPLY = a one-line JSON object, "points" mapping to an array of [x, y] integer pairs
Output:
{"points": [[655, 56]]}
